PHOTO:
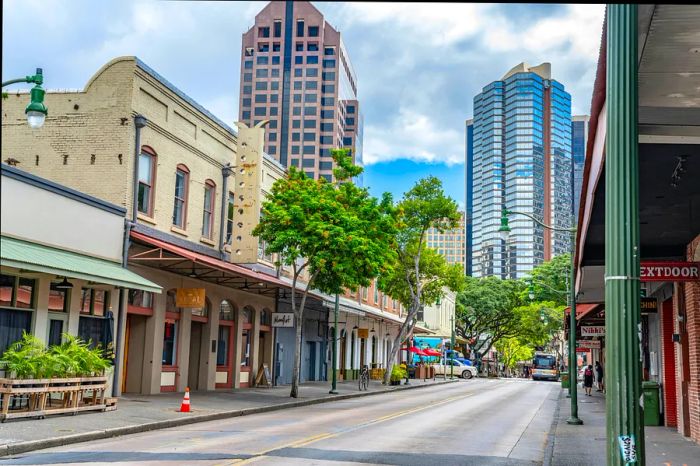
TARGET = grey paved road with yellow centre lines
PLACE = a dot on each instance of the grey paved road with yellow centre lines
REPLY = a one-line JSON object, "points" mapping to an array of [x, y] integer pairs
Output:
{"points": [[474, 422]]}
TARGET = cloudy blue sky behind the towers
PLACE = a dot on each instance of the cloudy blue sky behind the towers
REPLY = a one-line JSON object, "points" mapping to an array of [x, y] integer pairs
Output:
{"points": [[418, 65]]}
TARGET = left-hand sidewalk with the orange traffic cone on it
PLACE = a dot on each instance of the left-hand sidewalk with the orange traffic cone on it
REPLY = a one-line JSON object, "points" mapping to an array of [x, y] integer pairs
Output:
{"points": [[136, 413]]}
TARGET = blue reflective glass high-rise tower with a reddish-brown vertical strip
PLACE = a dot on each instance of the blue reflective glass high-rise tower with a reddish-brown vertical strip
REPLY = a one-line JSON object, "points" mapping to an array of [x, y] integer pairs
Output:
{"points": [[521, 160]]}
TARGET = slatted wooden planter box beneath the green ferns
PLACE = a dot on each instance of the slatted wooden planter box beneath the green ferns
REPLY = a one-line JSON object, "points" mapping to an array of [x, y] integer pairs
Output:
{"points": [[73, 392]]}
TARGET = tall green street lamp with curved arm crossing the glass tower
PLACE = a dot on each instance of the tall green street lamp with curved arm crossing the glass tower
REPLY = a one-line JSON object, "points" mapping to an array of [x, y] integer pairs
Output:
{"points": [[504, 230]]}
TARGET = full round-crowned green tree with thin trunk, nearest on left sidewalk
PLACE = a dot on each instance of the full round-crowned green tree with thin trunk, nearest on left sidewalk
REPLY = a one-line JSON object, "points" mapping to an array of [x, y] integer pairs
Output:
{"points": [[333, 235]]}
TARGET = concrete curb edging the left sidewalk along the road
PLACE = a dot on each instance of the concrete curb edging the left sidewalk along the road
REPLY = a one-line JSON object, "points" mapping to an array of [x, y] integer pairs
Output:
{"points": [[31, 445]]}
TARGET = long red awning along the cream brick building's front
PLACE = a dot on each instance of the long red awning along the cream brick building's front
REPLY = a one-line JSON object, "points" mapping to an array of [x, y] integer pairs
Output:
{"points": [[202, 260]]}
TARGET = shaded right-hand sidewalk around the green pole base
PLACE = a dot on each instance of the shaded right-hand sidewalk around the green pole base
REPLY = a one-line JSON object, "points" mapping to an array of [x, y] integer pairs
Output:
{"points": [[585, 445]]}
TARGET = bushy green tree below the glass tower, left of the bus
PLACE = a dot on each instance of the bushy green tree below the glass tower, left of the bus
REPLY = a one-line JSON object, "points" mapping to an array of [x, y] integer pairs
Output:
{"points": [[485, 311]]}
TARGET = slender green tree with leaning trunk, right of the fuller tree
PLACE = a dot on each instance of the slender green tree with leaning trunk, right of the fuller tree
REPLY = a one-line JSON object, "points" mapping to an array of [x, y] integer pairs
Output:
{"points": [[418, 275]]}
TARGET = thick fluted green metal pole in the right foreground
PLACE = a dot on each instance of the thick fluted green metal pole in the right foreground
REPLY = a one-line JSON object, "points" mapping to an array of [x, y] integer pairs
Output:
{"points": [[622, 287]]}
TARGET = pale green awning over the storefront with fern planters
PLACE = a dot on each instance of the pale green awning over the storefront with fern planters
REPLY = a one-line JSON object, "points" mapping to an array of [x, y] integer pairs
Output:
{"points": [[35, 257]]}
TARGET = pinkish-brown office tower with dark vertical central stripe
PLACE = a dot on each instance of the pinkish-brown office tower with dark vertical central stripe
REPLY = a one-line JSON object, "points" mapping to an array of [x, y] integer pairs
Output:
{"points": [[296, 73]]}
